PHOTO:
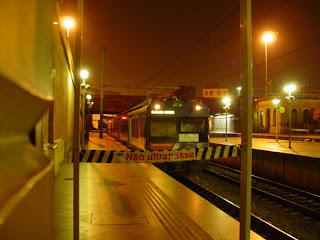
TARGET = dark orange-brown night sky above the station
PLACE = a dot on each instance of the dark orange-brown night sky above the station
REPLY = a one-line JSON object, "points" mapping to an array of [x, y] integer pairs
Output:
{"points": [[169, 43]]}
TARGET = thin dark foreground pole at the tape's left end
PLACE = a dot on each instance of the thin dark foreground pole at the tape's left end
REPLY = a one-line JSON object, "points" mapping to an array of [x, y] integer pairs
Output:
{"points": [[76, 135]]}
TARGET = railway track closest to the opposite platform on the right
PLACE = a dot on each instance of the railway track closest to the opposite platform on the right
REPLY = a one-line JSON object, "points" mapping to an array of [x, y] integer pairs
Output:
{"points": [[302, 201]]}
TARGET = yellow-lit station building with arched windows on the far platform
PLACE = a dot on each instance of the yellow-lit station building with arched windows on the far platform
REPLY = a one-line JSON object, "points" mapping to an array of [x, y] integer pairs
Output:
{"points": [[305, 112]]}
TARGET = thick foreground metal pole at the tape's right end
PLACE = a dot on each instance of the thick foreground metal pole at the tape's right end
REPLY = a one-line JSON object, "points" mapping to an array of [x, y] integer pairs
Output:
{"points": [[246, 123]]}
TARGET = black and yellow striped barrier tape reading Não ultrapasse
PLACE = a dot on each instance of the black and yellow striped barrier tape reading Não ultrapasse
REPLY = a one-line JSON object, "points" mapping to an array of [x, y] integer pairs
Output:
{"points": [[101, 156]]}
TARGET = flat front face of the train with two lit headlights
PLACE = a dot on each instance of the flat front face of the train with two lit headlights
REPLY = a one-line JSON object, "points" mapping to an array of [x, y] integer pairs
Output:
{"points": [[175, 124]]}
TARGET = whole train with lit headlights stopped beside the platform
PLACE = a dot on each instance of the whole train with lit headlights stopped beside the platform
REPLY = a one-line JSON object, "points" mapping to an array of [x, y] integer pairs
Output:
{"points": [[162, 124]]}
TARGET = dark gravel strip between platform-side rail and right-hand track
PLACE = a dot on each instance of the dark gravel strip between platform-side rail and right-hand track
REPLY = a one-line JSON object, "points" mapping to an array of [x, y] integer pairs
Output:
{"points": [[297, 225]]}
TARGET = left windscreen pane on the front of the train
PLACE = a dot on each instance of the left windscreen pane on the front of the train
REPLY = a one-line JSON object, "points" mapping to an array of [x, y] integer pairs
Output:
{"points": [[163, 127]]}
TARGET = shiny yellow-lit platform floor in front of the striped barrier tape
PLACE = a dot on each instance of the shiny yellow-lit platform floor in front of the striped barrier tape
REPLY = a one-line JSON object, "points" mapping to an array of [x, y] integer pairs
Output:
{"points": [[136, 201]]}
